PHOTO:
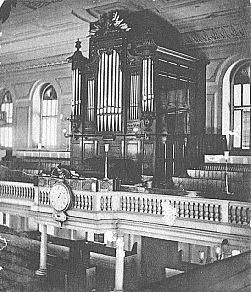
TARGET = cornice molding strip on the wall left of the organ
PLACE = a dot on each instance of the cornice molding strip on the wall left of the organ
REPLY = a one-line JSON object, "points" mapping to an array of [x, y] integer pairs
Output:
{"points": [[34, 64]]}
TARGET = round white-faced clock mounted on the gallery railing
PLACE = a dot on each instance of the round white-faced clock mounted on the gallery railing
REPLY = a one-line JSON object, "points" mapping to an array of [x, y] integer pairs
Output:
{"points": [[60, 196]]}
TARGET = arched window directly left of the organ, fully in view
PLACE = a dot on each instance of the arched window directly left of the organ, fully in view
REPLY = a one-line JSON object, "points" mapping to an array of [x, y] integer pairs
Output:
{"points": [[49, 111]]}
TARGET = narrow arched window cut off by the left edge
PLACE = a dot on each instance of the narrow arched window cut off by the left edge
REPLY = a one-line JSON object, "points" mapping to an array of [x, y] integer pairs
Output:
{"points": [[6, 120]]}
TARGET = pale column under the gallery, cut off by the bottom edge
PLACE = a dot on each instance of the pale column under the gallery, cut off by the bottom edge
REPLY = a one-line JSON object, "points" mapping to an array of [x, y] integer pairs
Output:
{"points": [[119, 265]]}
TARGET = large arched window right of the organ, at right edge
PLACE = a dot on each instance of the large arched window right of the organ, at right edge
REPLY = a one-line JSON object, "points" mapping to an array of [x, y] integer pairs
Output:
{"points": [[241, 108]]}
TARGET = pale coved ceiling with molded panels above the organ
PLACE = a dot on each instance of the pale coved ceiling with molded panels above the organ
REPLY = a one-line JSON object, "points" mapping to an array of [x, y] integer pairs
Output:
{"points": [[201, 22]]}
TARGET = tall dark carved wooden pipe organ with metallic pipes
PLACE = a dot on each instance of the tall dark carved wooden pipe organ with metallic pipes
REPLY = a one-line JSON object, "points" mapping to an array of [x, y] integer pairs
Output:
{"points": [[138, 93]]}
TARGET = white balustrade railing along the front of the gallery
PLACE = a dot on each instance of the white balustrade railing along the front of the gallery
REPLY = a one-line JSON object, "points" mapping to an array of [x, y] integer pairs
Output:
{"points": [[187, 207]]}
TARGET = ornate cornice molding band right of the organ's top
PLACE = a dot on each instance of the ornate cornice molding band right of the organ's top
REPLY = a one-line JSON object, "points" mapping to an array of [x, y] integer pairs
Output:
{"points": [[217, 34]]}
